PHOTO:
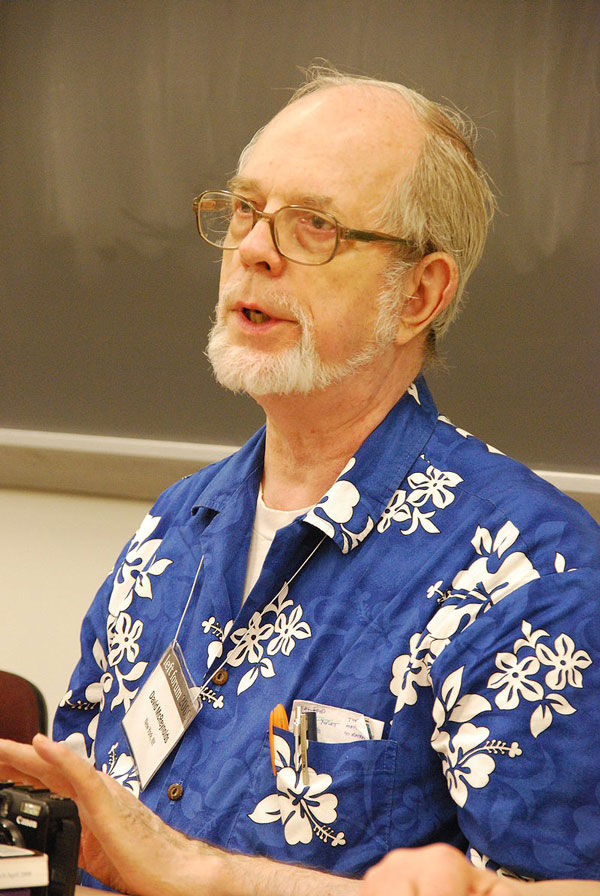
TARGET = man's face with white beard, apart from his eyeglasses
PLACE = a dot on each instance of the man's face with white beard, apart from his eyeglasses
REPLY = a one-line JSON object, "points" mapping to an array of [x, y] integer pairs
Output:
{"points": [[283, 327]]}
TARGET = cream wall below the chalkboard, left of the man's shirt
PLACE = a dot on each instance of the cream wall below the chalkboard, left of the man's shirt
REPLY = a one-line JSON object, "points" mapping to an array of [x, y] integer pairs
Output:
{"points": [[55, 550]]}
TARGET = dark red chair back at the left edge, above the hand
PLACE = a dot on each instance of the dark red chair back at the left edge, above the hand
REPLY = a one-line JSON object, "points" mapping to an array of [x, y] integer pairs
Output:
{"points": [[23, 710]]}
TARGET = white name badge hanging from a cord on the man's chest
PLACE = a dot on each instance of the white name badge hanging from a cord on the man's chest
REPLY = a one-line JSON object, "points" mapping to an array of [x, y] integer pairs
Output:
{"points": [[157, 719]]}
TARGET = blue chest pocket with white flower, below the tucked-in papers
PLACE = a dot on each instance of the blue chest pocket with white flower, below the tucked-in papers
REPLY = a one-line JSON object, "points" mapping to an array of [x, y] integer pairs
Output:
{"points": [[338, 820]]}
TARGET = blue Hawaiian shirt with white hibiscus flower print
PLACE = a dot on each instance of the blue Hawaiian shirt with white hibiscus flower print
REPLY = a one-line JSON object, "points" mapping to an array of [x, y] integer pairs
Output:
{"points": [[453, 595]]}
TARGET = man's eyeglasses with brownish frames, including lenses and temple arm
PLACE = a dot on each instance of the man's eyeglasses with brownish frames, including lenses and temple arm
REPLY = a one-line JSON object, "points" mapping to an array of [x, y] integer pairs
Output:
{"points": [[300, 234]]}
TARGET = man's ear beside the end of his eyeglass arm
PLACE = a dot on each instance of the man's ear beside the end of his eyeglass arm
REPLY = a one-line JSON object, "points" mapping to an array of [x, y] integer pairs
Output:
{"points": [[429, 288]]}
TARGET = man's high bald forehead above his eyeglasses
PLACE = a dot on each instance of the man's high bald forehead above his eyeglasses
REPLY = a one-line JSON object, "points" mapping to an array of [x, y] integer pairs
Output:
{"points": [[338, 140]]}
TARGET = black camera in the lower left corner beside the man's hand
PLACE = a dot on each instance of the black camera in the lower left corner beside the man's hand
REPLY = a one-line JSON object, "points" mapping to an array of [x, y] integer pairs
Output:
{"points": [[38, 819]]}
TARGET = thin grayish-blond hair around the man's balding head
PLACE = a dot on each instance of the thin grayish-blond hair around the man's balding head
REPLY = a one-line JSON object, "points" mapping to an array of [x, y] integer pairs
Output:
{"points": [[446, 202]]}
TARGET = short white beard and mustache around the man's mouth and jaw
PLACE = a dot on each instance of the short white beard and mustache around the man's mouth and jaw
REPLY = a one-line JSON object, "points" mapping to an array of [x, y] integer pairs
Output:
{"points": [[297, 369]]}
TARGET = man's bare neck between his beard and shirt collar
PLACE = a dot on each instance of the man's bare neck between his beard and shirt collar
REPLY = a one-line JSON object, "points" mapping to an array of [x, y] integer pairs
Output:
{"points": [[311, 438]]}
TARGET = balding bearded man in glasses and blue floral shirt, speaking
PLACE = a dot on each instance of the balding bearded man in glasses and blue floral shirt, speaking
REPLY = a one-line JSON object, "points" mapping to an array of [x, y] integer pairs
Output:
{"points": [[391, 629]]}
